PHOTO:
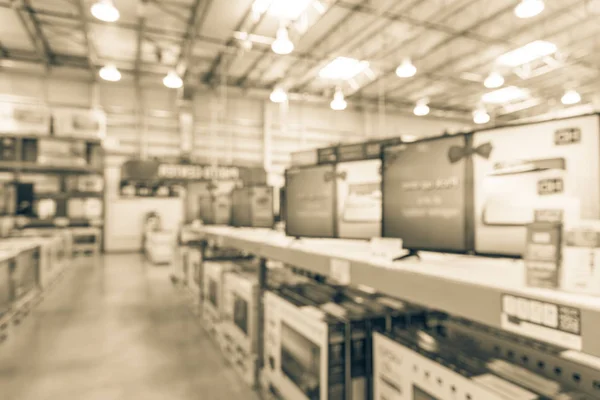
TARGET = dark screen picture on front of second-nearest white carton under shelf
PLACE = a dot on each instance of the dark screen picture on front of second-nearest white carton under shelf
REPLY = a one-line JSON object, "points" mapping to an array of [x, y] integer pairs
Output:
{"points": [[300, 361]]}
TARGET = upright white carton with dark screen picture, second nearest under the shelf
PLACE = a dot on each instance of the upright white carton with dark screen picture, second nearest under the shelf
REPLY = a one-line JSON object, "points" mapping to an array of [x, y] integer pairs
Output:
{"points": [[318, 341]]}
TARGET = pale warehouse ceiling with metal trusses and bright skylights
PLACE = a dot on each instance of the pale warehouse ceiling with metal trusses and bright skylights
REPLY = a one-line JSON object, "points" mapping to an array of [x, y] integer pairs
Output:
{"points": [[454, 44]]}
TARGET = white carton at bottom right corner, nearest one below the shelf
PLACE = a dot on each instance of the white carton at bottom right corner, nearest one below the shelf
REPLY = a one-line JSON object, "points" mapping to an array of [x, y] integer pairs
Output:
{"points": [[424, 365]]}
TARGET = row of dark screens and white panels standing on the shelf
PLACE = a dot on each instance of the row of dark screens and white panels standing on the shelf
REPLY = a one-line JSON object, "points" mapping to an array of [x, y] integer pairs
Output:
{"points": [[466, 193]]}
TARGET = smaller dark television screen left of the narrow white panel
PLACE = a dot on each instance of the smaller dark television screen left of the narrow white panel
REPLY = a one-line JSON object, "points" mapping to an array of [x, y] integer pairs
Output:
{"points": [[309, 201]]}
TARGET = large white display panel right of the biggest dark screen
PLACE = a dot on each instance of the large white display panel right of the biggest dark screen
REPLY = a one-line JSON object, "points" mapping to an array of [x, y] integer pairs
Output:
{"points": [[528, 165]]}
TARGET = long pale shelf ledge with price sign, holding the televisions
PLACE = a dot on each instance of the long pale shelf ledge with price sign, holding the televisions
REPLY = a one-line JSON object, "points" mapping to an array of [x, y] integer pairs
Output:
{"points": [[480, 289]]}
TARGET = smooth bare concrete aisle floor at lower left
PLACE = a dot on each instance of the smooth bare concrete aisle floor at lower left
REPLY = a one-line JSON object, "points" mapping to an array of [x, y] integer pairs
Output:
{"points": [[111, 331]]}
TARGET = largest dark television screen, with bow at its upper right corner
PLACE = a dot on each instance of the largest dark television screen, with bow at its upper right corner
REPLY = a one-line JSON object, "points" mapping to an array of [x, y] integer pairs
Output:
{"points": [[426, 194]]}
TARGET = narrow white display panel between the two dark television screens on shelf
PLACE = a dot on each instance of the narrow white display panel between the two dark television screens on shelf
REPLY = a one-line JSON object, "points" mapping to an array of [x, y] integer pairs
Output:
{"points": [[359, 199]]}
